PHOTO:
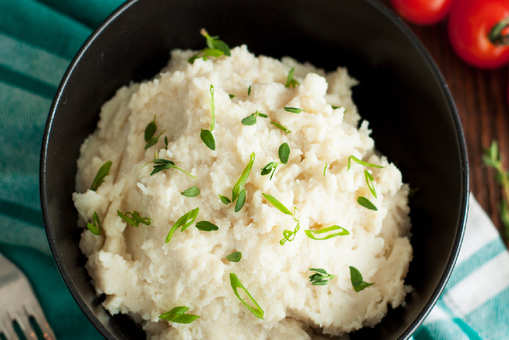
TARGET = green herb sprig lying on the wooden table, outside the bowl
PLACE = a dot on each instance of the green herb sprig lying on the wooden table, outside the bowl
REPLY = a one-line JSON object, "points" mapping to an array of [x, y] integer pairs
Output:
{"points": [[492, 158]]}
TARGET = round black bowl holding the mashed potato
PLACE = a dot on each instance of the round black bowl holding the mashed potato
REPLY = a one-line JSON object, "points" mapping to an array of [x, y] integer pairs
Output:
{"points": [[401, 93]]}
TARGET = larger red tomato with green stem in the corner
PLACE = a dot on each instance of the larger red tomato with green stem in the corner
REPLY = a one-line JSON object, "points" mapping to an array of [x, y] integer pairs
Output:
{"points": [[478, 32]]}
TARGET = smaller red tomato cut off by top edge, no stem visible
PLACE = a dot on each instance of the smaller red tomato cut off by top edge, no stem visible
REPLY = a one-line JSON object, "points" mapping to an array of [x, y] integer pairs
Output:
{"points": [[422, 12]]}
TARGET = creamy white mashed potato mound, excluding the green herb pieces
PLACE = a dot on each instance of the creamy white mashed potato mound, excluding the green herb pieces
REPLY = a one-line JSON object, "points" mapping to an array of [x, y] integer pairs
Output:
{"points": [[143, 276]]}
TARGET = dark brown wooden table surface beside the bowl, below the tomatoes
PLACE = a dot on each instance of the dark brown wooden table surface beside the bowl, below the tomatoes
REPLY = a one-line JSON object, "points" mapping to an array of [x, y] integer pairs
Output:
{"points": [[480, 96]]}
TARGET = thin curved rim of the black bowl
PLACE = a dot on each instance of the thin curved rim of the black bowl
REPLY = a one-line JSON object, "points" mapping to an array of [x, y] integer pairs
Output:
{"points": [[415, 42]]}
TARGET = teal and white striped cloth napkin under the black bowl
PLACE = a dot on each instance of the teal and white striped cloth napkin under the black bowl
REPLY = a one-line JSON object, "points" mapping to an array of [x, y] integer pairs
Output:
{"points": [[37, 41]]}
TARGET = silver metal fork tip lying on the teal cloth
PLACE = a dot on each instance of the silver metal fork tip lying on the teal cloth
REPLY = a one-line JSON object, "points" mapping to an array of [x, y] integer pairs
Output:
{"points": [[18, 303]]}
